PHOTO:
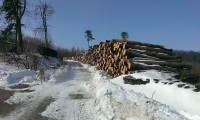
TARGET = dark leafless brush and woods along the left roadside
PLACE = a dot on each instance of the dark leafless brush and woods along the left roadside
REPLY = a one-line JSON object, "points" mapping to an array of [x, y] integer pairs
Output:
{"points": [[33, 50]]}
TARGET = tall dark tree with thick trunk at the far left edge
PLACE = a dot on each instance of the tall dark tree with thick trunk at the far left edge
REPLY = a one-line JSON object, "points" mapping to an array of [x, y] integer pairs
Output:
{"points": [[14, 11]]}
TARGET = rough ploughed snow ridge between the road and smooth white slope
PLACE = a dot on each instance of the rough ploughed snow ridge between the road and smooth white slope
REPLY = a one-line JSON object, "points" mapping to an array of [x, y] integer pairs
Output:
{"points": [[115, 102]]}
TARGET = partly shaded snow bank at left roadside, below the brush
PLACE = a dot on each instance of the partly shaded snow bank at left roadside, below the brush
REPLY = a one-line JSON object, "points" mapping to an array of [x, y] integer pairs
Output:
{"points": [[10, 74]]}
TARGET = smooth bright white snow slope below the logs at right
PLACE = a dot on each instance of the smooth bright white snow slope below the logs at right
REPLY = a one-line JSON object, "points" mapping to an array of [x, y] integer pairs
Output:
{"points": [[185, 101]]}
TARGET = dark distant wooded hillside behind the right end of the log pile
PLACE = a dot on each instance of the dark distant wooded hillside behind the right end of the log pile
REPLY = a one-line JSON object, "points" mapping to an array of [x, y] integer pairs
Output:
{"points": [[190, 57]]}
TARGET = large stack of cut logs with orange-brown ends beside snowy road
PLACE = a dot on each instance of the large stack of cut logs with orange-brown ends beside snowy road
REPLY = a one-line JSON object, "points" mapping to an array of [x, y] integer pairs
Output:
{"points": [[119, 56]]}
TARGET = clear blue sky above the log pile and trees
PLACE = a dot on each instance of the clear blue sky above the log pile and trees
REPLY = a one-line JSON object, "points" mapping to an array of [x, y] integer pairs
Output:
{"points": [[172, 23]]}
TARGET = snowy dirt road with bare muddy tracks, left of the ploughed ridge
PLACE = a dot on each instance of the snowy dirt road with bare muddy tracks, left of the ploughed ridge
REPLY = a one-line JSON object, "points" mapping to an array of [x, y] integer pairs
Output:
{"points": [[62, 97]]}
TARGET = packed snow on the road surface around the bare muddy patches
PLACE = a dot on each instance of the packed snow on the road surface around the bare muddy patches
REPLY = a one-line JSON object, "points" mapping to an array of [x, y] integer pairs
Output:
{"points": [[61, 83]]}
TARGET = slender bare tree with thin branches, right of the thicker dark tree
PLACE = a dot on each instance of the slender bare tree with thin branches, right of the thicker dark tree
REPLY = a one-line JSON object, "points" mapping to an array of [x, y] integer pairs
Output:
{"points": [[44, 11]]}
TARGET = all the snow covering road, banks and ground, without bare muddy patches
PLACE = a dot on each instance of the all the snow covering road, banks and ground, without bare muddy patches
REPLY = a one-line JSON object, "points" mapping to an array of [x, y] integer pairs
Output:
{"points": [[80, 92]]}
